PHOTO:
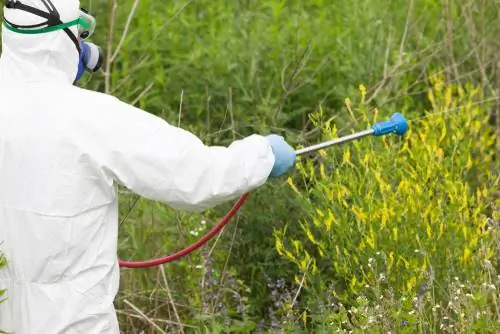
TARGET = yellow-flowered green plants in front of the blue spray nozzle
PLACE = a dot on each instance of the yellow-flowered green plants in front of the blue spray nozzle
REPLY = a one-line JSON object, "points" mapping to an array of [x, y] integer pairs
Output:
{"points": [[408, 215]]}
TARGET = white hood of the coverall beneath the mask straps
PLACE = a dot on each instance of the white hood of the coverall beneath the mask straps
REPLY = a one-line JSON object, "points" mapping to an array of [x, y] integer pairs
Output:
{"points": [[48, 56]]}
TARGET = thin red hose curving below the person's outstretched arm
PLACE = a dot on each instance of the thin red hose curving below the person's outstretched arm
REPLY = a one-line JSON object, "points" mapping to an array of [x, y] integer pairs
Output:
{"points": [[193, 247]]}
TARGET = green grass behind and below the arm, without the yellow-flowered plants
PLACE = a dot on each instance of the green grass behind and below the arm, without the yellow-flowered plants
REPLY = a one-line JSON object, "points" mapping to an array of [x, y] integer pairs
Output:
{"points": [[225, 69]]}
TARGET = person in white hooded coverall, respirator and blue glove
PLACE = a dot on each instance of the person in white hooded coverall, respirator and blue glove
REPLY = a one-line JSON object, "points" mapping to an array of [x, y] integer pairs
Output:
{"points": [[62, 150]]}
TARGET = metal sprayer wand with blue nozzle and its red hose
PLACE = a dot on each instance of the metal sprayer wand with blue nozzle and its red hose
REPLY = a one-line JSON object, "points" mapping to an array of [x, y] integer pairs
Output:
{"points": [[396, 124]]}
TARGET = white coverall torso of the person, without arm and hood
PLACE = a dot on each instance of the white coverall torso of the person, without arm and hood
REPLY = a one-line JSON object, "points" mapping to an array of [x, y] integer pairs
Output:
{"points": [[57, 218]]}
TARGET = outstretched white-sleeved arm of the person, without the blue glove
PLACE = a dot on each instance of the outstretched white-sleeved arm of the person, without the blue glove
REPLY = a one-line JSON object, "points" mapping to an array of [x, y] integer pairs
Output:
{"points": [[161, 162]]}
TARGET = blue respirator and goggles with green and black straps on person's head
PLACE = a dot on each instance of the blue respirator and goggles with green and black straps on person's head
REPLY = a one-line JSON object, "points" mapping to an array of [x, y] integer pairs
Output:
{"points": [[91, 55]]}
